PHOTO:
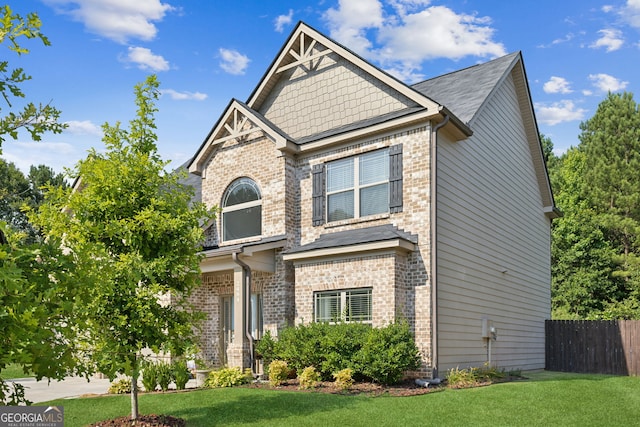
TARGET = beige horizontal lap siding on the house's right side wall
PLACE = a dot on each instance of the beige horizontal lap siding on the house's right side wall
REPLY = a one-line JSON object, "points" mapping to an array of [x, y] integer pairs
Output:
{"points": [[493, 243]]}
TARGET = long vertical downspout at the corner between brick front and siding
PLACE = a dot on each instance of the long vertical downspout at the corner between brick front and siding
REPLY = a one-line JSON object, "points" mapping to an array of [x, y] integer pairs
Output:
{"points": [[434, 245]]}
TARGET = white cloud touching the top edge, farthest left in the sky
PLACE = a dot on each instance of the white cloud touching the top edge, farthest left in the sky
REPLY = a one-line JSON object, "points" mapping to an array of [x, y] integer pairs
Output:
{"points": [[118, 20]]}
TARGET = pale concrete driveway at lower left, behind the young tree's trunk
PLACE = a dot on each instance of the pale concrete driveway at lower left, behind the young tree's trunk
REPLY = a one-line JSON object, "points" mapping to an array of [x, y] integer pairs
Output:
{"points": [[71, 387]]}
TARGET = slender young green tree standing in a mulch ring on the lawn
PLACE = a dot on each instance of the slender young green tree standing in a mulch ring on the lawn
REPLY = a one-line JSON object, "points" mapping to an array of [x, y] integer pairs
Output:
{"points": [[145, 231]]}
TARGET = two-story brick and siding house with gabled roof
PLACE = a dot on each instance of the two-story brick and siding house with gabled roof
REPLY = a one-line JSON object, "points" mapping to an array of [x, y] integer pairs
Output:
{"points": [[345, 193]]}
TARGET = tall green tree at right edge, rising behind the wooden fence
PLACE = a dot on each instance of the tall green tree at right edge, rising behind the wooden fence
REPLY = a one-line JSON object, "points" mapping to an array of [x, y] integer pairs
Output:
{"points": [[611, 143]]}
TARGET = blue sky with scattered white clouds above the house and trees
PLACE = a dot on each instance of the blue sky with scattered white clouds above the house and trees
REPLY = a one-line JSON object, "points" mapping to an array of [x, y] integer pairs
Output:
{"points": [[207, 52]]}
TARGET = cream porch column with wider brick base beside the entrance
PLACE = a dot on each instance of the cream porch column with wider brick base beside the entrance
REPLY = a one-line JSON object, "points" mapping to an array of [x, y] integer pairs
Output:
{"points": [[238, 351]]}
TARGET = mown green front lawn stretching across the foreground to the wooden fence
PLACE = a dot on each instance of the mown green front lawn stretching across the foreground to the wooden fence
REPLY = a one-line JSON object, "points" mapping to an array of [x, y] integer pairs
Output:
{"points": [[546, 399]]}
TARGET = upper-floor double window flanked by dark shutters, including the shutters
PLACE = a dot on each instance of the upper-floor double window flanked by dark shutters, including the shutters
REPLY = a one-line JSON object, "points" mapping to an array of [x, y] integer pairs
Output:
{"points": [[358, 186]]}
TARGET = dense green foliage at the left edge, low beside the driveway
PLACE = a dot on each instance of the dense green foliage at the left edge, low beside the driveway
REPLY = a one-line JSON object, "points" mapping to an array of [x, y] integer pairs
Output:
{"points": [[42, 286]]}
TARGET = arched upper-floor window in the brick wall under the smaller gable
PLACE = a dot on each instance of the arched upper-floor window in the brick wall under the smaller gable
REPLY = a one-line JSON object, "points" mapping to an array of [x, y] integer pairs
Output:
{"points": [[241, 210]]}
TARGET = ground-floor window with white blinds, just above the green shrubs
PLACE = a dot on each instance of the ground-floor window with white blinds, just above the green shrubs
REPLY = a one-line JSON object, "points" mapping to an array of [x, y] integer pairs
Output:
{"points": [[353, 305]]}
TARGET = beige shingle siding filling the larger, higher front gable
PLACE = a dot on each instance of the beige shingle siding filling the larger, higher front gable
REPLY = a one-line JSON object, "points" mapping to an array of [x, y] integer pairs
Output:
{"points": [[336, 93]]}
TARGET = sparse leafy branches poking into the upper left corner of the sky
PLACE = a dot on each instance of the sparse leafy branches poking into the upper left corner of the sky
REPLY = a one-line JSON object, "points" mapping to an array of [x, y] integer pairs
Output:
{"points": [[35, 119]]}
